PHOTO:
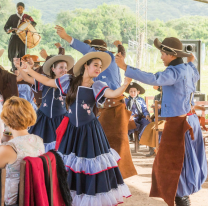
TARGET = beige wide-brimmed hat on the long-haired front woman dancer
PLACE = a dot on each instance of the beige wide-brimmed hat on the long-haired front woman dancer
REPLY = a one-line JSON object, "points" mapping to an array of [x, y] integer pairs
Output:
{"points": [[103, 56]]}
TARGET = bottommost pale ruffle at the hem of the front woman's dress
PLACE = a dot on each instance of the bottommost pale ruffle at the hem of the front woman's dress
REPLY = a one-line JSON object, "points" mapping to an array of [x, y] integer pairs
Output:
{"points": [[111, 198]]}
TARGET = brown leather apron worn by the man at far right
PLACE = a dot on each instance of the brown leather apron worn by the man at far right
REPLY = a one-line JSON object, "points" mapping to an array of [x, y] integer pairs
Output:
{"points": [[168, 163]]}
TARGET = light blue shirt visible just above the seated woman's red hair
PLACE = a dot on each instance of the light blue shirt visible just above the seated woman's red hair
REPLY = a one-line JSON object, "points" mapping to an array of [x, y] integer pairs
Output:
{"points": [[26, 93]]}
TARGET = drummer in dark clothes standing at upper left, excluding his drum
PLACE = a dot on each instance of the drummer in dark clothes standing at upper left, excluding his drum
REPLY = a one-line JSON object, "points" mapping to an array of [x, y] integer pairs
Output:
{"points": [[16, 47]]}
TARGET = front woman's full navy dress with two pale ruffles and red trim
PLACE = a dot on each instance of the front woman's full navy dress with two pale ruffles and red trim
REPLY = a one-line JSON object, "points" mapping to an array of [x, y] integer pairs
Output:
{"points": [[93, 174]]}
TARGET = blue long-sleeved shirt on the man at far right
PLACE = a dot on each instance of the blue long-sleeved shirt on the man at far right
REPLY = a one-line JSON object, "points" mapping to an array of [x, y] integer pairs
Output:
{"points": [[178, 82]]}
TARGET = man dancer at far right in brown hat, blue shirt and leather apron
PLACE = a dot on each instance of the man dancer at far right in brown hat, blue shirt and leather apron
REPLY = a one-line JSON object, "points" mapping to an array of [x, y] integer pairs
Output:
{"points": [[180, 166]]}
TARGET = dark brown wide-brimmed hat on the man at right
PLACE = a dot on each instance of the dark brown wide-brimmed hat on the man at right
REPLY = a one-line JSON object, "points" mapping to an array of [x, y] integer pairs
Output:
{"points": [[172, 46]]}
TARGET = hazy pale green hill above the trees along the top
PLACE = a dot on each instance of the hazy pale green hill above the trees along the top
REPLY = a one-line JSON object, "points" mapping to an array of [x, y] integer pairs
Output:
{"points": [[157, 9]]}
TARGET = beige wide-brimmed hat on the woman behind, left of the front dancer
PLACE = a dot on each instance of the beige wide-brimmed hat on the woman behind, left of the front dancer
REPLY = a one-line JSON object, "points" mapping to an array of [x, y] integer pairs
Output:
{"points": [[67, 58]]}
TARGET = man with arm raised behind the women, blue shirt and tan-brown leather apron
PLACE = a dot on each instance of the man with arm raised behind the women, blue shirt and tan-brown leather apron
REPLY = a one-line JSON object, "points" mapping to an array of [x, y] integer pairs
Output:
{"points": [[114, 116]]}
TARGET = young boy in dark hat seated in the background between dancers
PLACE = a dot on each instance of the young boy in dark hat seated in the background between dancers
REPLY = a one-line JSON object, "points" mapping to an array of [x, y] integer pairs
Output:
{"points": [[137, 106]]}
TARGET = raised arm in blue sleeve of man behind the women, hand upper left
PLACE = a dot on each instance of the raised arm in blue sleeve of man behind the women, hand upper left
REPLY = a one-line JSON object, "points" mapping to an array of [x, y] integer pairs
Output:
{"points": [[76, 44]]}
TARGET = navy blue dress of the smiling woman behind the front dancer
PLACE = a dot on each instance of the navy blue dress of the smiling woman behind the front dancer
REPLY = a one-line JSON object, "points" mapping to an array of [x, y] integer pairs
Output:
{"points": [[50, 114]]}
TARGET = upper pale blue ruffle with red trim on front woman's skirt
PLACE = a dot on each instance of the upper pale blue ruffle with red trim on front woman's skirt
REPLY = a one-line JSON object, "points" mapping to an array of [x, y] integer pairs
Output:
{"points": [[88, 166]]}
